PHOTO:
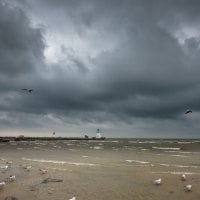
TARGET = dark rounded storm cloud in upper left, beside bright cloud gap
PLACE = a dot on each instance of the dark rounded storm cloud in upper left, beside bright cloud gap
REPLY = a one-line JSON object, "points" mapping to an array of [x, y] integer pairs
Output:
{"points": [[21, 46]]}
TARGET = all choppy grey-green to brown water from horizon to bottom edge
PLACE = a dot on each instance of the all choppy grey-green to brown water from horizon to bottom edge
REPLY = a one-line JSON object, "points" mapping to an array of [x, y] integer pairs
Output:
{"points": [[113, 169]]}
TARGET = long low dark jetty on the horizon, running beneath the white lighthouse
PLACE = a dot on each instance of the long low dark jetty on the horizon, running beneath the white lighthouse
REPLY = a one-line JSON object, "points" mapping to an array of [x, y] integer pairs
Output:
{"points": [[24, 138]]}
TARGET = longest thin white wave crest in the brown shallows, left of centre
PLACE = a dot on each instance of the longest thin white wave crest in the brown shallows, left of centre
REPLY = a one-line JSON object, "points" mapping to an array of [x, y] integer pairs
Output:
{"points": [[60, 162]]}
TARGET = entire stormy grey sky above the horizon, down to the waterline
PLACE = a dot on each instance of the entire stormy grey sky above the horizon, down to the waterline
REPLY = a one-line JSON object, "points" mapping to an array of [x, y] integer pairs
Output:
{"points": [[128, 67]]}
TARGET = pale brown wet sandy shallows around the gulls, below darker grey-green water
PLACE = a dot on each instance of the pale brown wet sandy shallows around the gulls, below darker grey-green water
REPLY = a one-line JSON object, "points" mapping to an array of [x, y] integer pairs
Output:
{"points": [[98, 174]]}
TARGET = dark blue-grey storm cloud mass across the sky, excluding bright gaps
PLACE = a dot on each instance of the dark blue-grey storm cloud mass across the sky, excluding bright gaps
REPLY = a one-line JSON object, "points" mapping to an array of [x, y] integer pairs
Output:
{"points": [[146, 73]]}
